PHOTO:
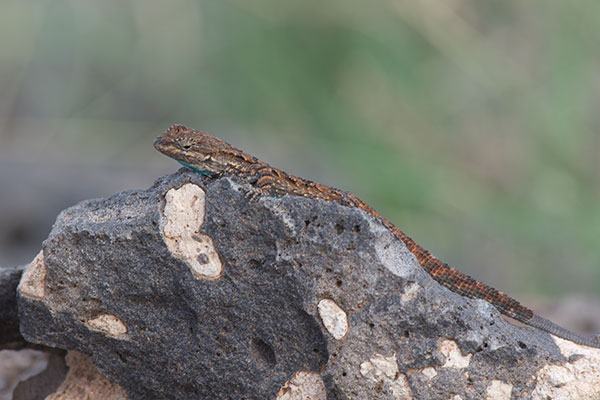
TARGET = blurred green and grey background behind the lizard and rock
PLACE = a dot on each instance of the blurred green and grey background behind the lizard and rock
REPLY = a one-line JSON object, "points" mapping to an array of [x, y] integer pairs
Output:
{"points": [[472, 125]]}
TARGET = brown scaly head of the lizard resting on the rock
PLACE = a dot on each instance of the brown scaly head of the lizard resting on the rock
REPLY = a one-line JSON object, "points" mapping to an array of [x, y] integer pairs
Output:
{"points": [[200, 151]]}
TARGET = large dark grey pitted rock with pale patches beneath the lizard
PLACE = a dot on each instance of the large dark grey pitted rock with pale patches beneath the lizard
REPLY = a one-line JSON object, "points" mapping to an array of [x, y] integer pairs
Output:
{"points": [[191, 290]]}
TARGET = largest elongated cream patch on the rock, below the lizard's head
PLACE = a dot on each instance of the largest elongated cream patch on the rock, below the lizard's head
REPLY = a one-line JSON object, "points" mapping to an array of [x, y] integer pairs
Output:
{"points": [[183, 216]]}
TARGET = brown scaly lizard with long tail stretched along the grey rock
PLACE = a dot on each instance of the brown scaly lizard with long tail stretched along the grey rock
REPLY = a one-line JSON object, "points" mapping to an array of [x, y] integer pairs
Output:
{"points": [[209, 155]]}
